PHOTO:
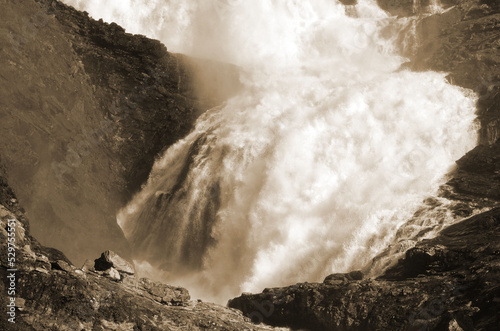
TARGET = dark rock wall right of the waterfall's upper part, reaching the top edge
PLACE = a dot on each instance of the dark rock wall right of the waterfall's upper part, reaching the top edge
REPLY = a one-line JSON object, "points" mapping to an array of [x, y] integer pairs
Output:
{"points": [[463, 41]]}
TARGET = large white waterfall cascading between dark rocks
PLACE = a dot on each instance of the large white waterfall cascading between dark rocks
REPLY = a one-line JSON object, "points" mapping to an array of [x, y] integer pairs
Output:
{"points": [[327, 151]]}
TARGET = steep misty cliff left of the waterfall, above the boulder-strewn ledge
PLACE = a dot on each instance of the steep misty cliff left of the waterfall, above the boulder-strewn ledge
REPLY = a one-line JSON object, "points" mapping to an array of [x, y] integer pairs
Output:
{"points": [[84, 110]]}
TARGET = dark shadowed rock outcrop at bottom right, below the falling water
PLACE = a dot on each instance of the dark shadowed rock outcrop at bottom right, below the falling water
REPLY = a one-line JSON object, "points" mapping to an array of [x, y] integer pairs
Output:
{"points": [[449, 281]]}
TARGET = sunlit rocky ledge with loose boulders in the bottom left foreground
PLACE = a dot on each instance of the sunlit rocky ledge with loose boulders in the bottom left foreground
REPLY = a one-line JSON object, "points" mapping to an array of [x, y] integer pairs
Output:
{"points": [[52, 294]]}
